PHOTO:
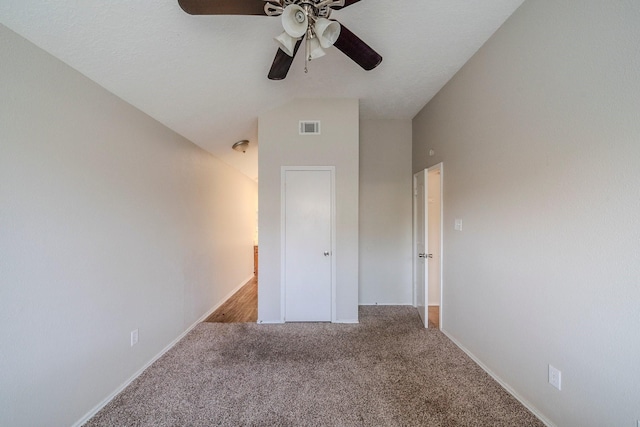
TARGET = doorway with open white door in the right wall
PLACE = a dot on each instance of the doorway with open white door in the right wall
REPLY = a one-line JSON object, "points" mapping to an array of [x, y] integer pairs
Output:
{"points": [[427, 237]]}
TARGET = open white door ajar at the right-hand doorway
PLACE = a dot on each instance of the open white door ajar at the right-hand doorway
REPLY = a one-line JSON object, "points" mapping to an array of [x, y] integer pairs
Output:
{"points": [[420, 266]]}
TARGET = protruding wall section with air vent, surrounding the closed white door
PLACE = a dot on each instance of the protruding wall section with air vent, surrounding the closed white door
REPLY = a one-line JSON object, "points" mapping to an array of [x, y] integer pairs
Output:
{"points": [[281, 145]]}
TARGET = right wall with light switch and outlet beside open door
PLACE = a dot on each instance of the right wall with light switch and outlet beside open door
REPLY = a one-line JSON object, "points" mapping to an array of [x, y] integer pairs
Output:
{"points": [[540, 138]]}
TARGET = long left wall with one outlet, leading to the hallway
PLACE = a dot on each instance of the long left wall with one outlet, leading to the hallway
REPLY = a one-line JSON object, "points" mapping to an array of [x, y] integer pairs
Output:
{"points": [[108, 222]]}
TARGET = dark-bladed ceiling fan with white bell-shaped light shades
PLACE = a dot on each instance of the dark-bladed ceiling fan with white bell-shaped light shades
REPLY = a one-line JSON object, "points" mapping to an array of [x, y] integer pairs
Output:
{"points": [[303, 20]]}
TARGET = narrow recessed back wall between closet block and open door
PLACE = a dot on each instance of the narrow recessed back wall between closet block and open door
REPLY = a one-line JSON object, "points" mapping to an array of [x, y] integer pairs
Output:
{"points": [[385, 212]]}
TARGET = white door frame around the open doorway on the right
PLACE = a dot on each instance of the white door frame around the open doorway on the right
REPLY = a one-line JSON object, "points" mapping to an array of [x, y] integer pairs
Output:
{"points": [[438, 167]]}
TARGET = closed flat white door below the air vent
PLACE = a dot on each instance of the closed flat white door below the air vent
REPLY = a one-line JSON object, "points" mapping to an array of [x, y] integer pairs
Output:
{"points": [[307, 245]]}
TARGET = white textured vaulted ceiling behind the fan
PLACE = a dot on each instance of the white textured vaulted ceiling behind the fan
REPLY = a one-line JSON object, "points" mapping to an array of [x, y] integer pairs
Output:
{"points": [[205, 76]]}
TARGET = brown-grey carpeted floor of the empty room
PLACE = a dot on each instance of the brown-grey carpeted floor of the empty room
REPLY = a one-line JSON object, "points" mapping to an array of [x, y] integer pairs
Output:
{"points": [[386, 371]]}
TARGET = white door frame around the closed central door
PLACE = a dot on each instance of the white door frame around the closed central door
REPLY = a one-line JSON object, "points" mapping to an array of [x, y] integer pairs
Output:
{"points": [[283, 193]]}
